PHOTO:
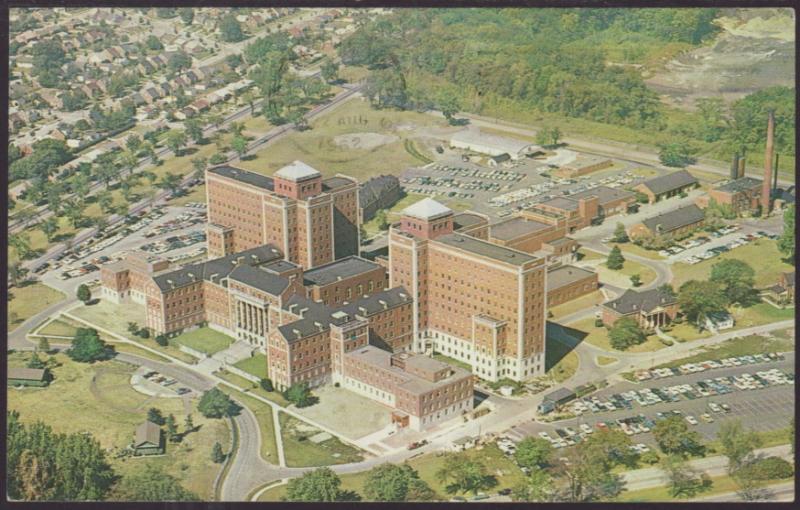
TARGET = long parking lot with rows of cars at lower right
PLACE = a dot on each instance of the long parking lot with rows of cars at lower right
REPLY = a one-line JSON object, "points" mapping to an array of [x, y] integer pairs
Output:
{"points": [[762, 409]]}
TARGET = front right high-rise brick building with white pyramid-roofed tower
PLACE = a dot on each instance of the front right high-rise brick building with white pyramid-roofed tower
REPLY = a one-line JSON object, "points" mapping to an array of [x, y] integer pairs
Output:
{"points": [[474, 301]]}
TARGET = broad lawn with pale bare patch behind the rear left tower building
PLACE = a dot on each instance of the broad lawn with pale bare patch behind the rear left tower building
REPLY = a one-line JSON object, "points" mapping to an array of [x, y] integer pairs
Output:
{"points": [[317, 147]]}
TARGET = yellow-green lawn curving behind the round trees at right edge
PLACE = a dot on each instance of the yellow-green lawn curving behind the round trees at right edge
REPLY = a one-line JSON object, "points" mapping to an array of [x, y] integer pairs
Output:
{"points": [[768, 267]]}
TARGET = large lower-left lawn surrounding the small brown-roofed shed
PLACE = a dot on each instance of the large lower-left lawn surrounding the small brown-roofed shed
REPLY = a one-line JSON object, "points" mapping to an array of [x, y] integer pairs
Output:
{"points": [[111, 413]]}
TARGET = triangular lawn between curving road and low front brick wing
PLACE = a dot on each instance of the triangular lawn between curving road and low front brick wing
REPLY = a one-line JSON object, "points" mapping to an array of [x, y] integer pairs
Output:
{"points": [[301, 452]]}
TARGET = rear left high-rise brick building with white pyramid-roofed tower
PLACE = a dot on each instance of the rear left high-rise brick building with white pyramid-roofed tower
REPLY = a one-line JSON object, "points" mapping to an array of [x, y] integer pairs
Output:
{"points": [[312, 220]]}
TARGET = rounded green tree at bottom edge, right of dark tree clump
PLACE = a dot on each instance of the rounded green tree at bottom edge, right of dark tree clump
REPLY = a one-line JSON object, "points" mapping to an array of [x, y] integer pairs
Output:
{"points": [[151, 484]]}
